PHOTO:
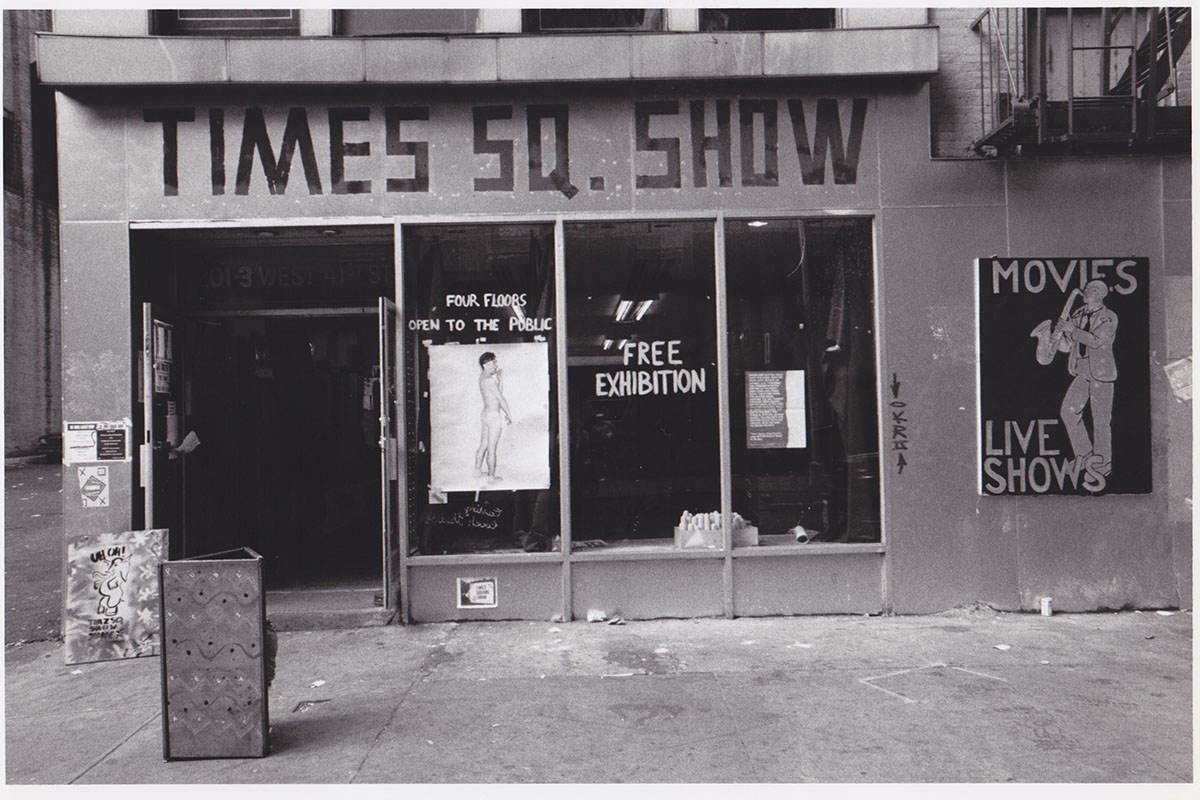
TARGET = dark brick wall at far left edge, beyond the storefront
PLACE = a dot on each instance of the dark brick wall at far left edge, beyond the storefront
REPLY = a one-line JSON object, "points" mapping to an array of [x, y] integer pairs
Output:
{"points": [[32, 358]]}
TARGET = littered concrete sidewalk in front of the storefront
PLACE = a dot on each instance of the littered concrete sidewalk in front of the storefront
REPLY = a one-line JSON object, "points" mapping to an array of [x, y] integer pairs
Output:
{"points": [[1070, 699]]}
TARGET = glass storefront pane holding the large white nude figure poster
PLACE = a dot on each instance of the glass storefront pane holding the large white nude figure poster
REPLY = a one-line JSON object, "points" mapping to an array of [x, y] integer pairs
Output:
{"points": [[482, 389]]}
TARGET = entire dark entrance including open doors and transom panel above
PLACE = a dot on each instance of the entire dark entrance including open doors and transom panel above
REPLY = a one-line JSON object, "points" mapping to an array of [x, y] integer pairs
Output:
{"points": [[274, 365]]}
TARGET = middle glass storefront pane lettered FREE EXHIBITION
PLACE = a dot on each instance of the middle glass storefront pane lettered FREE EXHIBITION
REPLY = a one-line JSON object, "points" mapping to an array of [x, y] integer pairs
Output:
{"points": [[643, 380]]}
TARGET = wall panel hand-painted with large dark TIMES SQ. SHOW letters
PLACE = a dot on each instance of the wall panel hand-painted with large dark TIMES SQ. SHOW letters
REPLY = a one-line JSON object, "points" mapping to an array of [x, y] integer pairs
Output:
{"points": [[583, 154]]}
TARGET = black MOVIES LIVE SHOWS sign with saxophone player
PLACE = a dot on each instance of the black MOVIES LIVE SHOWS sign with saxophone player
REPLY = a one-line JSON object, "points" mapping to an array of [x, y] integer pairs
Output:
{"points": [[1064, 376]]}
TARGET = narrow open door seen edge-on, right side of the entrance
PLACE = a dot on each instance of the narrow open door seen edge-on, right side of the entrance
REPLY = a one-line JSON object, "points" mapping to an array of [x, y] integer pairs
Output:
{"points": [[389, 449]]}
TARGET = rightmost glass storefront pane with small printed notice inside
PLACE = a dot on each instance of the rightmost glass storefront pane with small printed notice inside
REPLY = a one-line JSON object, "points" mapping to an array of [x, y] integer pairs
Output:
{"points": [[803, 411]]}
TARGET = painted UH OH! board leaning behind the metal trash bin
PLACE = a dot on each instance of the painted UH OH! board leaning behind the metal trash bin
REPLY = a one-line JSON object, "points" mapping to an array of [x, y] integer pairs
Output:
{"points": [[112, 606]]}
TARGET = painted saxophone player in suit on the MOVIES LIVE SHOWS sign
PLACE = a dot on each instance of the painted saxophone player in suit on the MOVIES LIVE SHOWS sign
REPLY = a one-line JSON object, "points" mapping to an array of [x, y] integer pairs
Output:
{"points": [[1087, 335]]}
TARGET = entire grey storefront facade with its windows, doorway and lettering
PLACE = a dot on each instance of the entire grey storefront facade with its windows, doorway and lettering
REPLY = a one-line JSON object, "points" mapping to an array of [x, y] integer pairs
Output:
{"points": [[650, 348]]}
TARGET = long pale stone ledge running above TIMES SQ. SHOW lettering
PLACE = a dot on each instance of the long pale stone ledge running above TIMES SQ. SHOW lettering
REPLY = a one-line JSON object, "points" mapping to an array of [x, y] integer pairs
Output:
{"points": [[148, 61]]}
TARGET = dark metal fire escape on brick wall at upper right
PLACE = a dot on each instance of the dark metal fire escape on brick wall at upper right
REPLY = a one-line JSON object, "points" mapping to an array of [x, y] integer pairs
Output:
{"points": [[1058, 81]]}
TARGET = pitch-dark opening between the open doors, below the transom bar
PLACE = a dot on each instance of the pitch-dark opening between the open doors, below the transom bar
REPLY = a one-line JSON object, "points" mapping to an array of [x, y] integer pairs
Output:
{"points": [[287, 411]]}
